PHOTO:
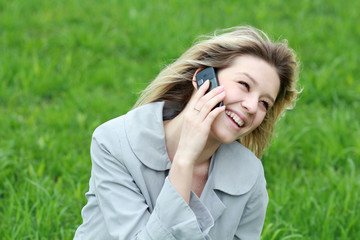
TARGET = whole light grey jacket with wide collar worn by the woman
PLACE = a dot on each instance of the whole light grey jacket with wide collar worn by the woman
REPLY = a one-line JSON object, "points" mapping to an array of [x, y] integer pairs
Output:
{"points": [[130, 196]]}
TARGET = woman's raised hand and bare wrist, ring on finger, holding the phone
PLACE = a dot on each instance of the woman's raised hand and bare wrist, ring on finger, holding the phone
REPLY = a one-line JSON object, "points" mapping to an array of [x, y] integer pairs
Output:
{"points": [[199, 115]]}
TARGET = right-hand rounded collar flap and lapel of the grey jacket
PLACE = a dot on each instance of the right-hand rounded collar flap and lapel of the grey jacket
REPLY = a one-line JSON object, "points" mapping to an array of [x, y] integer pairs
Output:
{"points": [[233, 171]]}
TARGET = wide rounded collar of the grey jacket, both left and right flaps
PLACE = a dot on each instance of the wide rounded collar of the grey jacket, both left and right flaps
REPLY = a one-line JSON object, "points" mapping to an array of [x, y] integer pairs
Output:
{"points": [[235, 168]]}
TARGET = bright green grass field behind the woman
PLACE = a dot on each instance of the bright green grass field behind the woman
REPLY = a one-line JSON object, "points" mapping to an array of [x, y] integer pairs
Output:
{"points": [[67, 66]]}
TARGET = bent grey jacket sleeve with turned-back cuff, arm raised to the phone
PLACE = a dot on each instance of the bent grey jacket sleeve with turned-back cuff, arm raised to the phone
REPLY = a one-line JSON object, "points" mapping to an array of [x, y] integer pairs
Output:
{"points": [[124, 209]]}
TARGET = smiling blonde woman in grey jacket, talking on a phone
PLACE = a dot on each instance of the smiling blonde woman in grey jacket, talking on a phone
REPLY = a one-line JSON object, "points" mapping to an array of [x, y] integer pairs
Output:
{"points": [[176, 166]]}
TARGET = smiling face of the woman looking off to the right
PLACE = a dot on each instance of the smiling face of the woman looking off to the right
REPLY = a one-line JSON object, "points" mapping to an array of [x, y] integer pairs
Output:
{"points": [[251, 86]]}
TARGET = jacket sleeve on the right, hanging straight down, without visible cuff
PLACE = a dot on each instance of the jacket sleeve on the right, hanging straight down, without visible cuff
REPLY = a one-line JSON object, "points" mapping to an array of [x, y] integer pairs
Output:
{"points": [[252, 221]]}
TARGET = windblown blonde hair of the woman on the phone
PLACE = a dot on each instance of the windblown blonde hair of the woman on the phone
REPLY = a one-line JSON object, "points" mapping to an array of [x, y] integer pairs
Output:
{"points": [[173, 84]]}
